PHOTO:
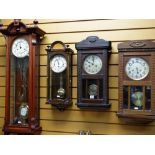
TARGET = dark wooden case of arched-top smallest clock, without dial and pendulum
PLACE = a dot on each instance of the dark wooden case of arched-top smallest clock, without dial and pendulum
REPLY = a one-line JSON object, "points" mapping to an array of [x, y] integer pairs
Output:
{"points": [[66, 52]]}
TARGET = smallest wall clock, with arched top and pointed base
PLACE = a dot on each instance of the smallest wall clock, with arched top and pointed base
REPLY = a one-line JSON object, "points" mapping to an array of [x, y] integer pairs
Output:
{"points": [[59, 75]]}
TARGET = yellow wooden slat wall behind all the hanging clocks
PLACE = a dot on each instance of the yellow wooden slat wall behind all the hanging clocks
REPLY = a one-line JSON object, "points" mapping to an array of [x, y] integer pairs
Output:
{"points": [[72, 120]]}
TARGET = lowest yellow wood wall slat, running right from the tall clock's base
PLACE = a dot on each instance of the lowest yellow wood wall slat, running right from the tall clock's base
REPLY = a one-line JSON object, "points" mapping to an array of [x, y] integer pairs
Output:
{"points": [[96, 128]]}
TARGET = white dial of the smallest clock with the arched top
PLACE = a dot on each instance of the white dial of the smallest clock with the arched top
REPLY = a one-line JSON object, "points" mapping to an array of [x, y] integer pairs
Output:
{"points": [[58, 63]]}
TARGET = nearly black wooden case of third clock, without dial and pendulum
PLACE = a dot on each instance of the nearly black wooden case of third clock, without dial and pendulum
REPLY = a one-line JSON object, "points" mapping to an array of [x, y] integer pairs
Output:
{"points": [[92, 45]]}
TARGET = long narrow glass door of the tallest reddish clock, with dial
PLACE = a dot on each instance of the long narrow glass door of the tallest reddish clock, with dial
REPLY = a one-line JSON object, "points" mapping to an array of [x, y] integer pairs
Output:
{"points": [[19, 70]]}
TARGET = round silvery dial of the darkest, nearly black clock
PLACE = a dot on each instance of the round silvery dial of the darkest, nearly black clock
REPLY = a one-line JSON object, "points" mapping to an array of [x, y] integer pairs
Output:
{"points": [[92, 64]]}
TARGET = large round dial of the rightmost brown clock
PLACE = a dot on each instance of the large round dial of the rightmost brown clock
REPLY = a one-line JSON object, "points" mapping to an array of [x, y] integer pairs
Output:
{"points": [[137, 68]]}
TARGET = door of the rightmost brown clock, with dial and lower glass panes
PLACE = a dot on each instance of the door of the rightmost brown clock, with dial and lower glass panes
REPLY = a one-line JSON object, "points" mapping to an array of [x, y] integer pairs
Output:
{"points": [[136, 94]]}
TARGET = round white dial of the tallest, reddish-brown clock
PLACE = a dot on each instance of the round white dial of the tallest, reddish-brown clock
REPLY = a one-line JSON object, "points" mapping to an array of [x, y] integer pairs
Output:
{"points": [[20, 48]]}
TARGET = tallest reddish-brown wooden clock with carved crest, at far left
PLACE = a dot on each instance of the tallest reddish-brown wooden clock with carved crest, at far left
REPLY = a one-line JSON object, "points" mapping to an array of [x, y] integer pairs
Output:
{"points": [[22, 78]]}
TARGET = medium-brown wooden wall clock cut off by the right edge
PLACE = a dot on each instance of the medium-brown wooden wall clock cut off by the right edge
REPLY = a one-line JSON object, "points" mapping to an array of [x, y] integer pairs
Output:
{"points": [[137, 81]]}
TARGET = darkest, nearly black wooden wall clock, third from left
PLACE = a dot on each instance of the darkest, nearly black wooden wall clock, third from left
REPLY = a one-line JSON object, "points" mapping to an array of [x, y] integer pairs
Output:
{"points": [[93, 73]]}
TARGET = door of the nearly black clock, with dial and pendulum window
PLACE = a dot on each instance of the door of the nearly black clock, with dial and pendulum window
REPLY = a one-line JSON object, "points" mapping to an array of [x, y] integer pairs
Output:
{"points": [[92, 84]]}
